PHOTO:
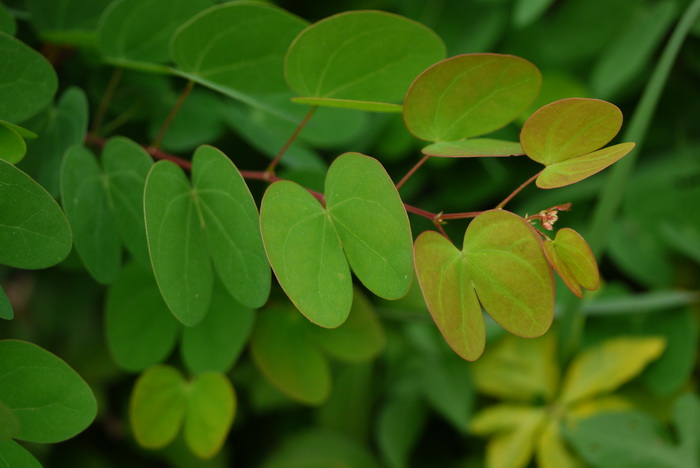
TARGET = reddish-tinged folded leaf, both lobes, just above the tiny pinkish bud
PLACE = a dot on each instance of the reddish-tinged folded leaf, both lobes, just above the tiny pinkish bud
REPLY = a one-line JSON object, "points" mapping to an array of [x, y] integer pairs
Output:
{"points": [[566, 136]]}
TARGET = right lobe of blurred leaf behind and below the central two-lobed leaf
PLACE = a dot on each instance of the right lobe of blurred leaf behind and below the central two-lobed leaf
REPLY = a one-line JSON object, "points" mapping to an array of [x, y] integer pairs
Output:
{"points": [[361, 338]]}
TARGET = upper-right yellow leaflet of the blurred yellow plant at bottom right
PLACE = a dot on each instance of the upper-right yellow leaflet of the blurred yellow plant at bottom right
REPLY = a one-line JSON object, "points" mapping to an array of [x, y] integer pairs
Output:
{"points": [[605, 367]]}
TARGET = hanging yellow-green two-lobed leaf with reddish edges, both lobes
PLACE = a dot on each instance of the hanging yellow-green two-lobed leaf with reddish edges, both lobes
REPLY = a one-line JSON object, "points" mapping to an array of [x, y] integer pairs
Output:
{"points": [[501, 268]]}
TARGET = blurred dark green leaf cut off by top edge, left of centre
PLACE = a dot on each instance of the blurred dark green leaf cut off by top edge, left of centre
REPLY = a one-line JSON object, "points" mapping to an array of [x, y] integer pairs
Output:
{"points": [[138, 30]]}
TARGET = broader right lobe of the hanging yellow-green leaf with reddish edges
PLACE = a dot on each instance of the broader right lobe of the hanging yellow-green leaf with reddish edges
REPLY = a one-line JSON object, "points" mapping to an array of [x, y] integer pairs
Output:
{"points": [[510, 273]]}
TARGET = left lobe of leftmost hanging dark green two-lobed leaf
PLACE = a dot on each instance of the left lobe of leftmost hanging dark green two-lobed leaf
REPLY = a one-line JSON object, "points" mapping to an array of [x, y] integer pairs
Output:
{"points": [[83, 192]]}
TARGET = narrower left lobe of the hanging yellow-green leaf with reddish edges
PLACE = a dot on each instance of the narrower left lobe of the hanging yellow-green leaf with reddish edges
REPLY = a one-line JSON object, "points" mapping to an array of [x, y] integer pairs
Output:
{"points": [[444, 279]]}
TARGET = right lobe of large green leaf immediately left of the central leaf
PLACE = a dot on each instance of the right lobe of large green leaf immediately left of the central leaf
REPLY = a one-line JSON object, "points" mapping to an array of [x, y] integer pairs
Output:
{"points": [[231, 222]]}
